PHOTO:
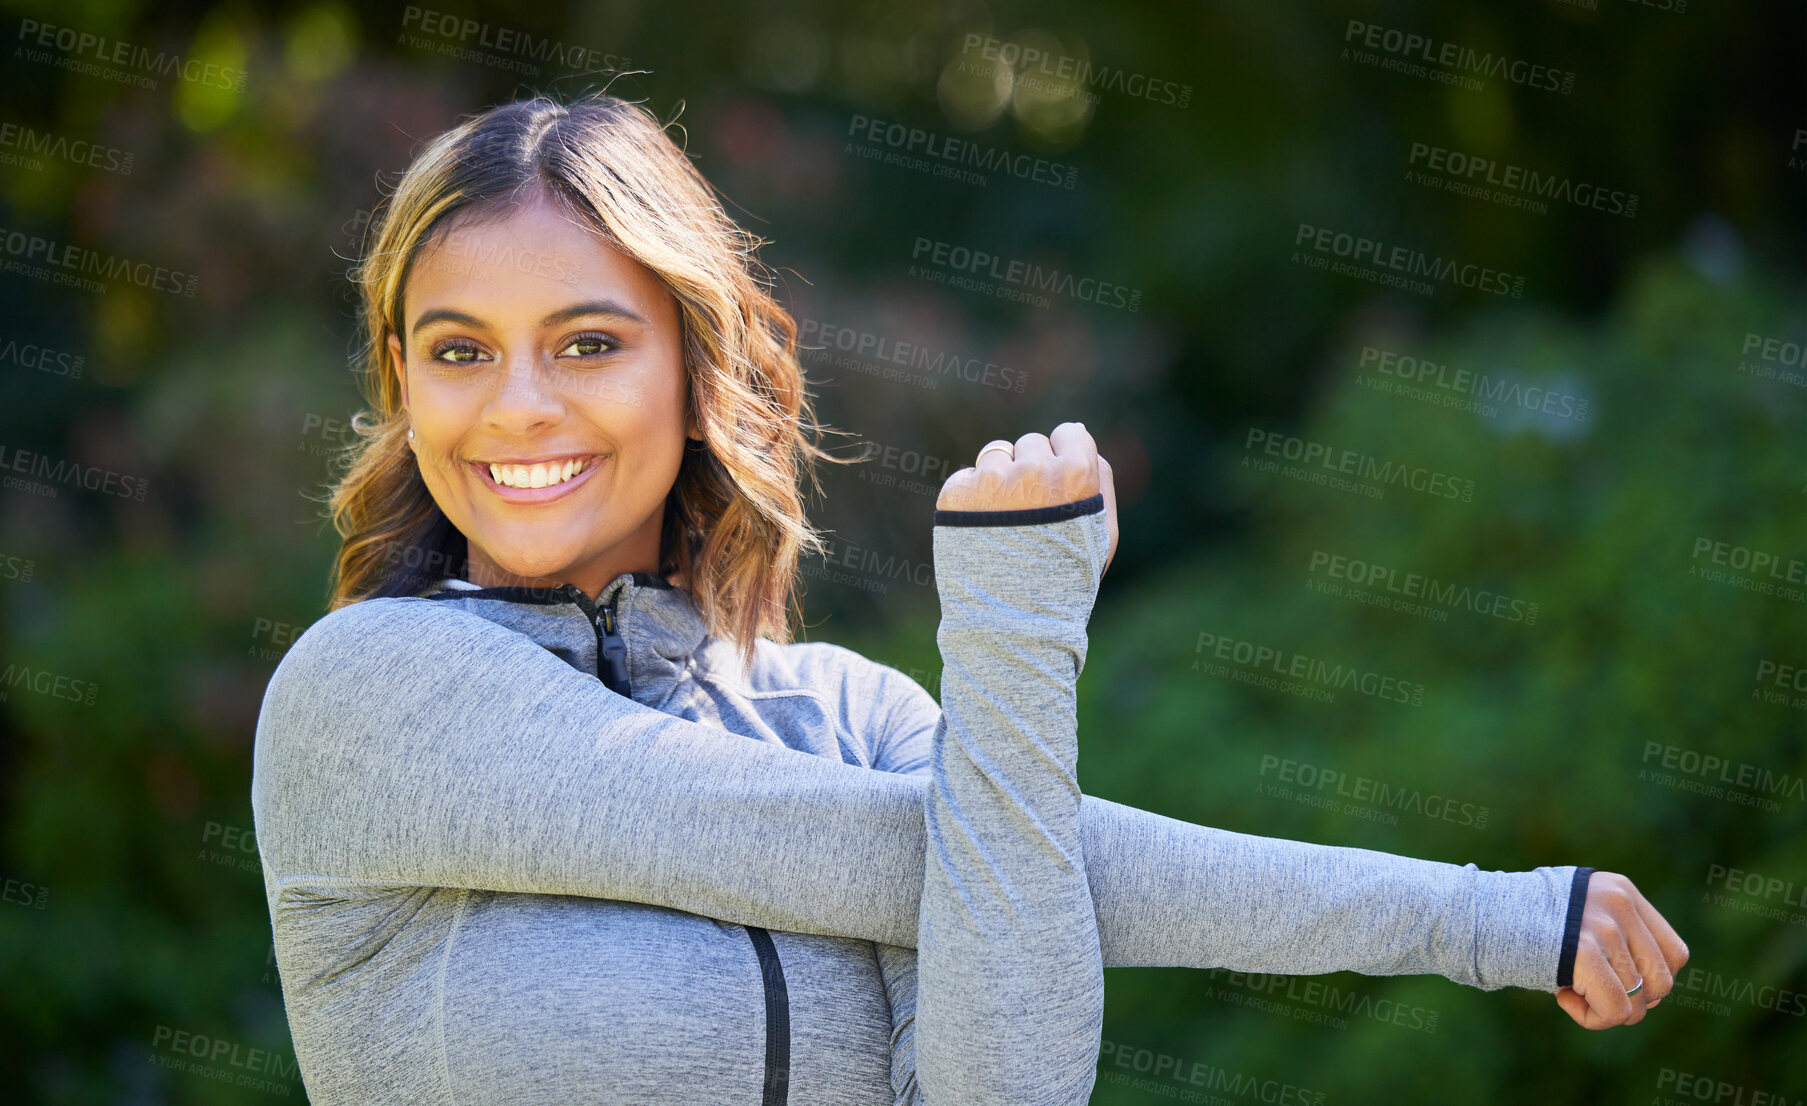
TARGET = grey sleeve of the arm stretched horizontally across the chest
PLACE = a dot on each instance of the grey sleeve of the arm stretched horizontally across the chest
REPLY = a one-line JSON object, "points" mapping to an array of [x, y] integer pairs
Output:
{"points": [[402, 742]]}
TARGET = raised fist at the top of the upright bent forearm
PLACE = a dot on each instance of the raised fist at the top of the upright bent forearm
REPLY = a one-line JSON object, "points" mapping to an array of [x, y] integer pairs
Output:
{"points": [[1040, 471]]}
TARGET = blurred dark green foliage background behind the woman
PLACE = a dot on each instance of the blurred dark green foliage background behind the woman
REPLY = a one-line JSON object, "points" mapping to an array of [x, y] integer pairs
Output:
{"points": [[133, 903]]}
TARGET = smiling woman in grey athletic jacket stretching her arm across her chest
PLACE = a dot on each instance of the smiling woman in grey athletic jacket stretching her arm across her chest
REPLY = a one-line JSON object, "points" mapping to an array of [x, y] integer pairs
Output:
{"points": [[550, 807]]}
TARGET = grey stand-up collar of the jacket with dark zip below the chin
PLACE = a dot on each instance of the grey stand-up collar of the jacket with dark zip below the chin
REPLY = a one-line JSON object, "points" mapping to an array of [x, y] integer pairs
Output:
{"points": [[657, 623]]}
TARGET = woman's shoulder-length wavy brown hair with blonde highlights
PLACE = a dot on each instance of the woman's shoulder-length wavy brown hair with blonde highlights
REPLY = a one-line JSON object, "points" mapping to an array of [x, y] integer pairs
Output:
{"points": [[735, 523]]}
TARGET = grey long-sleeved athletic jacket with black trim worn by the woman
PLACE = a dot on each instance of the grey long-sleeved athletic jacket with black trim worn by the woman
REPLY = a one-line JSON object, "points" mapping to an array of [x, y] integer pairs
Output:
{"points": [[529, 848]]}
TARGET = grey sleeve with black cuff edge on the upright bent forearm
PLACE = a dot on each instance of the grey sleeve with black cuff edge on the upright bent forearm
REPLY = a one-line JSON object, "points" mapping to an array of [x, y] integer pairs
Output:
{"points": [[1011, 984]]}
